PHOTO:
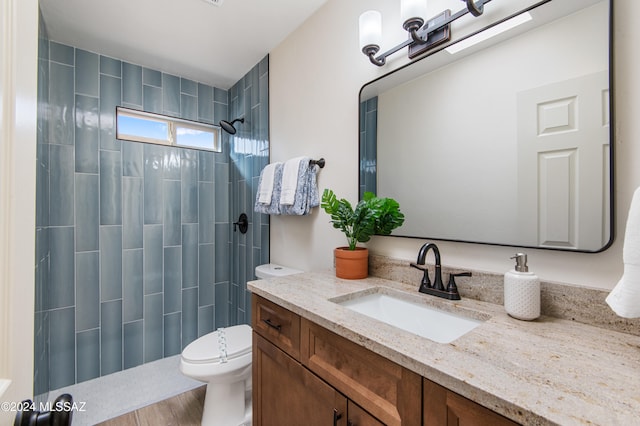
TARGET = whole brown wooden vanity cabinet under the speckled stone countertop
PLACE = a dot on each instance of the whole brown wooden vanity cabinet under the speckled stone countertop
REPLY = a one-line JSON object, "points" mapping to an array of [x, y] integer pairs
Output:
{"points": [[303, 374]]}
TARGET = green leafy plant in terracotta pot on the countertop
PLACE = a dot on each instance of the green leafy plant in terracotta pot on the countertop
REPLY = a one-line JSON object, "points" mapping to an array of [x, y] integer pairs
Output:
{"points": [[371, 216]]}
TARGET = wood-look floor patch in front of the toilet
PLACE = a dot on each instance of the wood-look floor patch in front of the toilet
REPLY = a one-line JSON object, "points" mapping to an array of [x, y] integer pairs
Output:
{"points": [[181, 410]]}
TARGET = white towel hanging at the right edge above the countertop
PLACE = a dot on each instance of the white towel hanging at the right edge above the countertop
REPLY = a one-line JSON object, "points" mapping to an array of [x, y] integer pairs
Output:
{"points": [[624, 299]]}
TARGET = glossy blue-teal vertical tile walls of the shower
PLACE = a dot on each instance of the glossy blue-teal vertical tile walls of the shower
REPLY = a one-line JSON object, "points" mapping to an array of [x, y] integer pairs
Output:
{"points": [[136, 252]]}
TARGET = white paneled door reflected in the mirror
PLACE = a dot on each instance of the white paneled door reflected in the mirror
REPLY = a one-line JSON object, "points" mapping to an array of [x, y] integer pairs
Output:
{"points": [[562, 138]]}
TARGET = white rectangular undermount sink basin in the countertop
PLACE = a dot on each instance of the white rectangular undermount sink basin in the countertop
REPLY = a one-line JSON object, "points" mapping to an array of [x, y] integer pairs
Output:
{"points": [[426, 321]]}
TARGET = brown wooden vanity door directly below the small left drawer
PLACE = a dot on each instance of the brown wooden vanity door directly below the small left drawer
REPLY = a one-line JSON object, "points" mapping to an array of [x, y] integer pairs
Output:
{"points": [[287, 394]]}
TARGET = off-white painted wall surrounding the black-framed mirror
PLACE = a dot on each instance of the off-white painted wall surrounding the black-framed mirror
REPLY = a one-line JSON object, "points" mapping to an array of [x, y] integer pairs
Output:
{"points": [[316, 75]]}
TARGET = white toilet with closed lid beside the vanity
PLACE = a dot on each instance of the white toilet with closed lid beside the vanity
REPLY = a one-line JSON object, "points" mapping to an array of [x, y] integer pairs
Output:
{"points": [[222, 359]]}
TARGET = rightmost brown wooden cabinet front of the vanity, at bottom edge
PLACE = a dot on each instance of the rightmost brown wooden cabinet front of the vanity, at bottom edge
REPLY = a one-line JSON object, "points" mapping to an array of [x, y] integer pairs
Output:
{"points": [[443, 407]]}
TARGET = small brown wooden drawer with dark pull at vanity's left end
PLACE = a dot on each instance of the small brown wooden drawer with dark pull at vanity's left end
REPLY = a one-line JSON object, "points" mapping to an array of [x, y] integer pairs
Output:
{"points": [[276, 324]]}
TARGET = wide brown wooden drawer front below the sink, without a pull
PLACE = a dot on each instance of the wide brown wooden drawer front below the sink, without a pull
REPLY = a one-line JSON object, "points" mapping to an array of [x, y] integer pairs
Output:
{"points": [[388, 391]]}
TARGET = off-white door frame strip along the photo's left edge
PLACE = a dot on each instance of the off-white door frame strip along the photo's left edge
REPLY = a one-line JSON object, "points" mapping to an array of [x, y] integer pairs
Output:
{"points": [[18, 79]]}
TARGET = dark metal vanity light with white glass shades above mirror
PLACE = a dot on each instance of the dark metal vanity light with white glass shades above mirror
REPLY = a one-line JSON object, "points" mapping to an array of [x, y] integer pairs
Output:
{"points": [[422, 36]]}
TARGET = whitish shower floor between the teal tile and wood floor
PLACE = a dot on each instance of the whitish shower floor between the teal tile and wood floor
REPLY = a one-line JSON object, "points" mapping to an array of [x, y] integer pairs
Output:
{"points": [[125, 391]]}
